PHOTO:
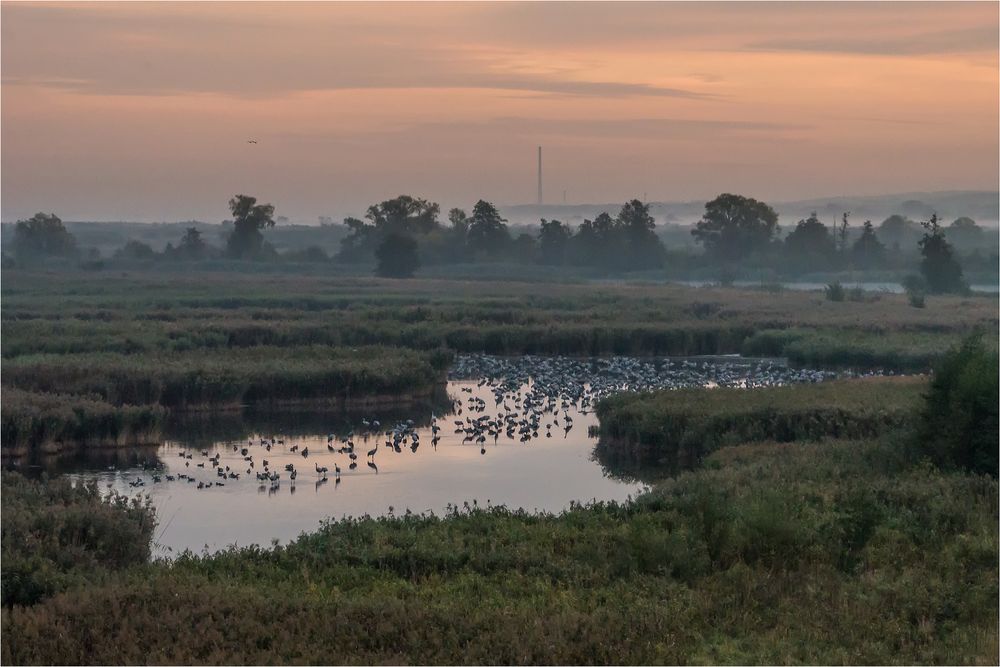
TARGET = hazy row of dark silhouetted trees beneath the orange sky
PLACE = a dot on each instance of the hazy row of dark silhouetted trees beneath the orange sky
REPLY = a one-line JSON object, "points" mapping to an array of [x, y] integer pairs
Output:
{"points": [[402, 234]]}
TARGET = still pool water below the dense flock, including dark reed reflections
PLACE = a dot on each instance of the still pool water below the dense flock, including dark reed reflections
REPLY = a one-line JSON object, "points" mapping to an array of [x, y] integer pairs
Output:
{"points": [[541, 474]]}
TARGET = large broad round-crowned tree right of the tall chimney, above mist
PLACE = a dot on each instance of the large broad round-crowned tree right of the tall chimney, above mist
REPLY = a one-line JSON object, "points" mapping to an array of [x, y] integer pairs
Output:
{"points": [[733, 226]]}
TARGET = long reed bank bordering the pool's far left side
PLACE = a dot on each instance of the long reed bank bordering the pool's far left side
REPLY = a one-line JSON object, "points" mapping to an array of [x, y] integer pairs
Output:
{"points": [[228, 377]]}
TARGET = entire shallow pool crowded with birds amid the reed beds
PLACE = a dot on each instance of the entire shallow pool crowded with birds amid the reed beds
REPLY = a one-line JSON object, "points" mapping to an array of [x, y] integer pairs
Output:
{"points": [[502, 432]]}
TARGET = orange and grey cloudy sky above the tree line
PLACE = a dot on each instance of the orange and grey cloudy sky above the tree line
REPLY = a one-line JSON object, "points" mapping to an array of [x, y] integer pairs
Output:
{"points": [[141, 111]]}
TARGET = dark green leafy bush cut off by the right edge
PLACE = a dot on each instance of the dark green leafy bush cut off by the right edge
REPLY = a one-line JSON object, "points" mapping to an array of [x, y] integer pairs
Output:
{"points": [[959, 422]]}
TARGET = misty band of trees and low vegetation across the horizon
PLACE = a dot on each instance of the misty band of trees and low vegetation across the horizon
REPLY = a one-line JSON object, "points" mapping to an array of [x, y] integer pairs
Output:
{"points": [[739, 236]]}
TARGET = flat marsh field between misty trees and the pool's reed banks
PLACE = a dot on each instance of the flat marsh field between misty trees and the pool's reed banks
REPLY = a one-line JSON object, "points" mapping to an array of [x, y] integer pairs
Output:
{"points": [[72, 313]]}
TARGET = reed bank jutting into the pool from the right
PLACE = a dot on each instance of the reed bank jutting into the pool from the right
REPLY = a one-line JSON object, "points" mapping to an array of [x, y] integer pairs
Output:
{"points": [[667, 430]]}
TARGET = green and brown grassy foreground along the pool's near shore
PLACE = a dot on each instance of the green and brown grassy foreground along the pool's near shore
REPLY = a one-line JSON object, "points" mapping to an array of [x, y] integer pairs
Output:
{"points": [[829, 552]]}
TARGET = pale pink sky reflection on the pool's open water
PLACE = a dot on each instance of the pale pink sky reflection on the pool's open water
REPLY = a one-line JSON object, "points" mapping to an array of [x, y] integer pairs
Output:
{"points": [[543, 474]]}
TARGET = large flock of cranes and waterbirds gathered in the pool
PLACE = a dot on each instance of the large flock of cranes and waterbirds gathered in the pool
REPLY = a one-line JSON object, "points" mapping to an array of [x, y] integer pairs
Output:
{"points": [[532, 397]]}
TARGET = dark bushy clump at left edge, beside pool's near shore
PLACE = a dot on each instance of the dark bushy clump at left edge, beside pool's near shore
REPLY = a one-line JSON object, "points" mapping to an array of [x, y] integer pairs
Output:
{"points": [[57, 536]]}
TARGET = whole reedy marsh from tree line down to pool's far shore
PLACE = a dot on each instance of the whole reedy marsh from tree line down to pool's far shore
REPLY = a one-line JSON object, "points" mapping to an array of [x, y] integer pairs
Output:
{"points": [[216, 340]]}
